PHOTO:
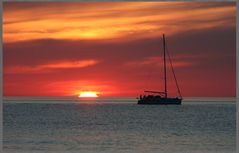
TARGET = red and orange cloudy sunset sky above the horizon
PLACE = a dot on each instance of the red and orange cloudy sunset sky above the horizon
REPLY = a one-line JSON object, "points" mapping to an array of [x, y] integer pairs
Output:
{"points": [[115, 48]]}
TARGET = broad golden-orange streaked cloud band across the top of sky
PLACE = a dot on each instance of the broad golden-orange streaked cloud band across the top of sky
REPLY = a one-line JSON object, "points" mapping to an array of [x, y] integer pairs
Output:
{"points": [[111, 20]]}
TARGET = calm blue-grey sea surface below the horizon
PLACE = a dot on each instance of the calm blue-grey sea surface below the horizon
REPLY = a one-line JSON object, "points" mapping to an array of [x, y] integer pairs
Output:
{"points": [[96, 126]]}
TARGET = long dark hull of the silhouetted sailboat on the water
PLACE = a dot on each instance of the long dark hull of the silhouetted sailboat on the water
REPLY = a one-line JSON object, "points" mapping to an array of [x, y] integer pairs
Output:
{"points": [[160, 101]]}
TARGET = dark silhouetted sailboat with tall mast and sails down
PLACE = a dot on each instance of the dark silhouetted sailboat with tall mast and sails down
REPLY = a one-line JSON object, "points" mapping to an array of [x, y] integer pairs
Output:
{"points": [[161, 98]]}
